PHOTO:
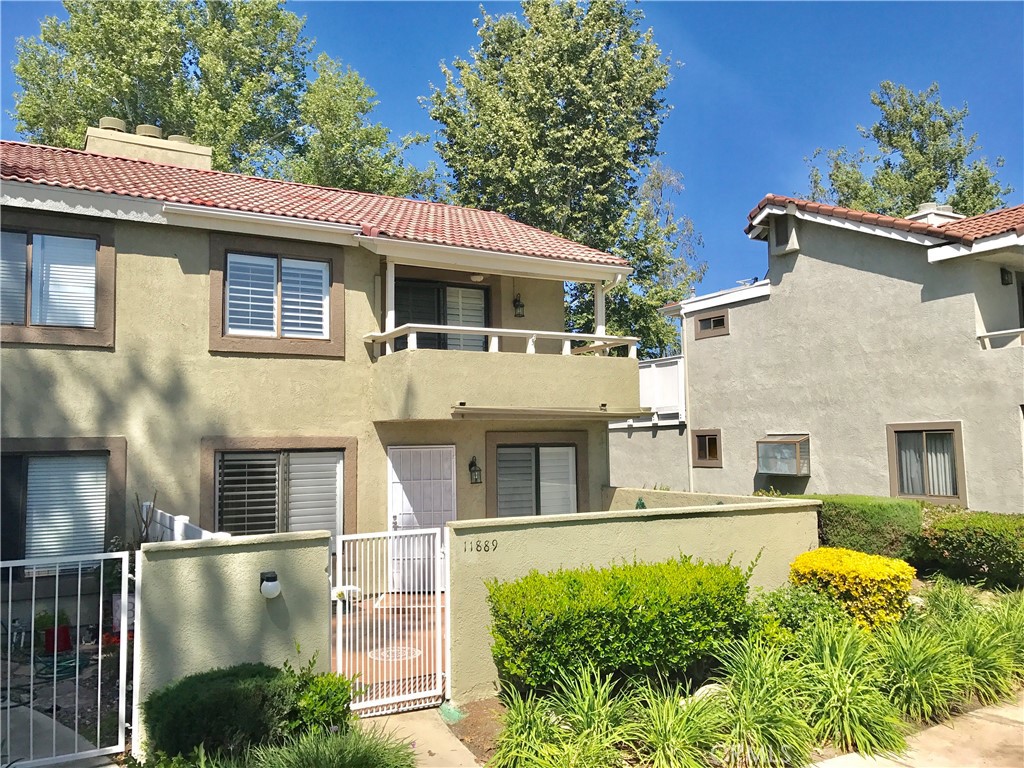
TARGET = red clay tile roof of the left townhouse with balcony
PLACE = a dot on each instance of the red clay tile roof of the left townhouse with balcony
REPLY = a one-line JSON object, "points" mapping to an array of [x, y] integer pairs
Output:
{"points": [[394, 218]]}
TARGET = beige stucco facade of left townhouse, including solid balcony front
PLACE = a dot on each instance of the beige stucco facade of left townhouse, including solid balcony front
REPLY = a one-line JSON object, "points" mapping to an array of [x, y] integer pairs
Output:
{"points": [[164, 391]]}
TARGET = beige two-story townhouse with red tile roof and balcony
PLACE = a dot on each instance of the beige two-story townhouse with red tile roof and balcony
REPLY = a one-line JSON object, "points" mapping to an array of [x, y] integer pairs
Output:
{"points": [[274, 357]]}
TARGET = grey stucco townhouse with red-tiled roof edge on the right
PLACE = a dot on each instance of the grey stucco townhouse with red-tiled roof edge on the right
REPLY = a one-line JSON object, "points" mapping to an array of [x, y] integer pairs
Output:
{"points": [[879, 356]]}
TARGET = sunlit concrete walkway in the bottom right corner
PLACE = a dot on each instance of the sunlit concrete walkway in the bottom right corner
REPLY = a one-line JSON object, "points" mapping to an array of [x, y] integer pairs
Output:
{"points": [[990, 738]]}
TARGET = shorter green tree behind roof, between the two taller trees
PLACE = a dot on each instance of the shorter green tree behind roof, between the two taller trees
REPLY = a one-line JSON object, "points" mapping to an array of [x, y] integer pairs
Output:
{"points": [[340, 147]]}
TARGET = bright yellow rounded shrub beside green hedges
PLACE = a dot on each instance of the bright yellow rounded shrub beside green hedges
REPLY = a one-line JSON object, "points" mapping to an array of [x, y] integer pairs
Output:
{"points": [[874, 590]]}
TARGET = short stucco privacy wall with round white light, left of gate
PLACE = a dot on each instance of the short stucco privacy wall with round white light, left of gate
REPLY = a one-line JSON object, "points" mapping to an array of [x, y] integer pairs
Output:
{"points": [[199, 606]]}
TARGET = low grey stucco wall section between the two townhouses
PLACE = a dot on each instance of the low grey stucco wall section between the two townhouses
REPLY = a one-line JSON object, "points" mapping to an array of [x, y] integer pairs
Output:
{"points": [[651, 457]]}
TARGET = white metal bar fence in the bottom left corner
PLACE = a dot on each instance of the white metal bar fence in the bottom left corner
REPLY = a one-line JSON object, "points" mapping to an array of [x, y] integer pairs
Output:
{"points": [[67, 626]]}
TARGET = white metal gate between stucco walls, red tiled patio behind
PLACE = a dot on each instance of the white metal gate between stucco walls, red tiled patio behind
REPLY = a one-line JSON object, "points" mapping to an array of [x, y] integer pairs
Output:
{"points": [[390, 632]]}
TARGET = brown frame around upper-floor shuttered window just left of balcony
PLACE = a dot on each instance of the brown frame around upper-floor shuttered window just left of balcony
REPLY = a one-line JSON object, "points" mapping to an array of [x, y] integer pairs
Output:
{"points": [[222, 342]]}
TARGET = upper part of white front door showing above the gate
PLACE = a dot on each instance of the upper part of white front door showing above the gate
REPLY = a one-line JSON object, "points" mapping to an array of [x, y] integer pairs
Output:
{"points": [[422, 483]]}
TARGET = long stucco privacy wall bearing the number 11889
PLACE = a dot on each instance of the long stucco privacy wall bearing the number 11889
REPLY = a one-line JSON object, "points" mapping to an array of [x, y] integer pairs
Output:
{"points": [[780, 530]]}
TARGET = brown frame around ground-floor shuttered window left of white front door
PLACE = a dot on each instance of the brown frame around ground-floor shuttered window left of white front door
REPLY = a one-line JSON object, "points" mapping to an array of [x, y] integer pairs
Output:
{"points": [[211, 447]]}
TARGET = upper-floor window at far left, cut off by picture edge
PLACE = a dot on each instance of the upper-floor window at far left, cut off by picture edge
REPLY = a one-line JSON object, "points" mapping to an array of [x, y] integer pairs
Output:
{"points": [[48, 280]]}
